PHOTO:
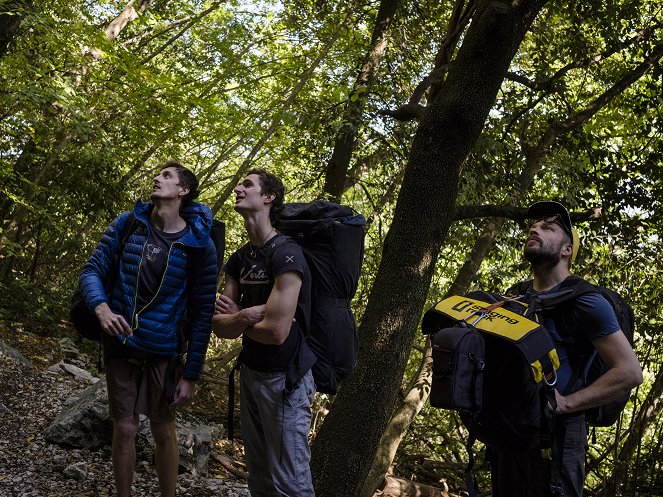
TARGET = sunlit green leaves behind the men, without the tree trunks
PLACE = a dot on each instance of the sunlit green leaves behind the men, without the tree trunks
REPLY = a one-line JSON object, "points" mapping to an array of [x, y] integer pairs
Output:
{"points": [[86, 121]]}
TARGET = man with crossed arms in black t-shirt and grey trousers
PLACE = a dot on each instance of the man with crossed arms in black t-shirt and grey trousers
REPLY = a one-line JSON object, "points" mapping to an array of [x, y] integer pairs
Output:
{"points": [[266, 301]]}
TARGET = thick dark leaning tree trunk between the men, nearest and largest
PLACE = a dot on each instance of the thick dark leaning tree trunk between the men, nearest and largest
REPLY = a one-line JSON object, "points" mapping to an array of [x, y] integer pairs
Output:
{"points": [[352, 430]]}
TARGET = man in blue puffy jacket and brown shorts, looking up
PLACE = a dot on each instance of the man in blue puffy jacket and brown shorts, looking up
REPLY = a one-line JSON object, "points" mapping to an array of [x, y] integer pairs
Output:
{"points": [[167, 268]]}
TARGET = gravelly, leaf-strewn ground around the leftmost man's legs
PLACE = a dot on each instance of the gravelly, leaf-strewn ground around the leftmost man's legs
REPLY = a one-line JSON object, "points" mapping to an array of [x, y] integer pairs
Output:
{"points": [[30, 398]]}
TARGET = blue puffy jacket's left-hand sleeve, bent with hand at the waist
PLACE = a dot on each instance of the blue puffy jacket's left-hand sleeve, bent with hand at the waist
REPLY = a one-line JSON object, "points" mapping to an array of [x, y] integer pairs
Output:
{"points": [[96, 270]]}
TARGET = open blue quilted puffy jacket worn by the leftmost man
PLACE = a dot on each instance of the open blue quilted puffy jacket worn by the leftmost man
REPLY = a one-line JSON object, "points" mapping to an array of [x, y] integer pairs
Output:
{"points": [[155, 326]]}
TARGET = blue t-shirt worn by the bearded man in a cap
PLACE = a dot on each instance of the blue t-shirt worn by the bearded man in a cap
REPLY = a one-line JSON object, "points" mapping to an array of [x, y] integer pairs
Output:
{"points": [[592, 317]]}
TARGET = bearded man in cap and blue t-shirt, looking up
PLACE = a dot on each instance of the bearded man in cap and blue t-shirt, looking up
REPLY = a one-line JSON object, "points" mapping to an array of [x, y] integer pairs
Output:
{"points": [[550, 247]]}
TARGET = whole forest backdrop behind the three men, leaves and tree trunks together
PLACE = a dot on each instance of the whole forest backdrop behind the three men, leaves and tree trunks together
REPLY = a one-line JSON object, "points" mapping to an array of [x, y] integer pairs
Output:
{"points": [[439, 121]]}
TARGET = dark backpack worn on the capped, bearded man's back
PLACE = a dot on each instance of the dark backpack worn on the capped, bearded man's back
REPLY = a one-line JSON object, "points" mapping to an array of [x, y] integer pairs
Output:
{"points": [[592, 366]]}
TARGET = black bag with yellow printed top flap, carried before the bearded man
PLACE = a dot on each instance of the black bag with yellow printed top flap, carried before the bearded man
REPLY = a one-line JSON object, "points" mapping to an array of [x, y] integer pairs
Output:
{"points": [[497, 368]]}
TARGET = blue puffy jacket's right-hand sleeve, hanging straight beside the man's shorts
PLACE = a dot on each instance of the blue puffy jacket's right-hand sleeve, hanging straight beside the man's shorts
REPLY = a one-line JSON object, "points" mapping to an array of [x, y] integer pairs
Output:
{"points": [[202, 294]]}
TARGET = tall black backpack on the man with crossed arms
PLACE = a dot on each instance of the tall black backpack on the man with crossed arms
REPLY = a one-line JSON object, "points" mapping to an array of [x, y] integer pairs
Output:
{"points": [[332, 240]]}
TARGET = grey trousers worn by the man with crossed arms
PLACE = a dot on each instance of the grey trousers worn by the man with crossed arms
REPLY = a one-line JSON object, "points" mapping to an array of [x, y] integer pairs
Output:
{"points": [[275, 430]]}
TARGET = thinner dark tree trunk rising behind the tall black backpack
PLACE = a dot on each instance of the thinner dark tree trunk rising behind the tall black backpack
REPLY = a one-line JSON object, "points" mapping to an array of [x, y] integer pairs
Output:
{"points": [[345, 139]]}
